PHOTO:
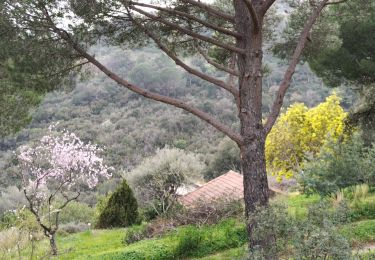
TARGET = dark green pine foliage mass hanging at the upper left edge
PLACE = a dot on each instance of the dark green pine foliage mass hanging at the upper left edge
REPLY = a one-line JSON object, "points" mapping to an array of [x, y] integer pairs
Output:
{"points": [[30, 66]]}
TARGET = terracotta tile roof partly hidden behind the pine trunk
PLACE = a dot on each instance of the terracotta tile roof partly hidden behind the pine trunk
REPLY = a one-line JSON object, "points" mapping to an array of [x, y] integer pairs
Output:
{"points": [[229, 185]]}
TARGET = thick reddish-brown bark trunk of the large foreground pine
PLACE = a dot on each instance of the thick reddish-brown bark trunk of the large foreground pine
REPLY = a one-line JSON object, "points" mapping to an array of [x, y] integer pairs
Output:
{"points": [[256, 192]]}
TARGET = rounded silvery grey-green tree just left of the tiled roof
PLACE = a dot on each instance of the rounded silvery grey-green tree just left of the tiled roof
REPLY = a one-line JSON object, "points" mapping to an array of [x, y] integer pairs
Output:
{"points": [[157, 178]]}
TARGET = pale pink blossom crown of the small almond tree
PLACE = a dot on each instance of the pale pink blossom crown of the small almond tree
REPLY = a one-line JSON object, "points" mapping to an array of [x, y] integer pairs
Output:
{"points": [[61, 159]]}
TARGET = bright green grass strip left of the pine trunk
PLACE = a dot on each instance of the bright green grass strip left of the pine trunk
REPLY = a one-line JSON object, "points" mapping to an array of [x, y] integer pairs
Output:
{"points": [[108, 244]]}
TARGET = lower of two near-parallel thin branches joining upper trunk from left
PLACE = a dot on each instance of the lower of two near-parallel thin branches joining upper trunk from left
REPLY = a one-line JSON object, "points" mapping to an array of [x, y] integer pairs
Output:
{"points": [[188, 32]]}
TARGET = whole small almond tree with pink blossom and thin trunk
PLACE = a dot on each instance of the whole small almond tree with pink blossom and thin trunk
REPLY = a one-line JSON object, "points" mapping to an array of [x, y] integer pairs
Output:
{"points": [[53, 171]]}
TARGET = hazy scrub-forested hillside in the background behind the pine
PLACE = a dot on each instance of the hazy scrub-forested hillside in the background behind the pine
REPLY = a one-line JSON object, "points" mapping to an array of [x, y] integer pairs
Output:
{"points": [[131, 127]]}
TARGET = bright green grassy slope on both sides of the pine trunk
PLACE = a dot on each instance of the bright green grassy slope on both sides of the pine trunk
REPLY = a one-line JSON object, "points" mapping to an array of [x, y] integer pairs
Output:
{"points": [[107, 244]]}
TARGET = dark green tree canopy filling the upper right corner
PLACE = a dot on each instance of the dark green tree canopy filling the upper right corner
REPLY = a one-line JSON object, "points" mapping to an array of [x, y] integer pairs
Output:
{"points": [[342, 53]]}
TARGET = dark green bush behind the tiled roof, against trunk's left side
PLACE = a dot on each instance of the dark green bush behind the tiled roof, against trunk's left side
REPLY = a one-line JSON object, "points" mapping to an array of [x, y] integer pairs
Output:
{"points": [[225, 158]]}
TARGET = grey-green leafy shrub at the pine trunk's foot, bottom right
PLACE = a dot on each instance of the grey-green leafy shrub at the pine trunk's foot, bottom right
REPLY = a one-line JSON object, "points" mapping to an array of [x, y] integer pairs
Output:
{"points": [[315, 237]]}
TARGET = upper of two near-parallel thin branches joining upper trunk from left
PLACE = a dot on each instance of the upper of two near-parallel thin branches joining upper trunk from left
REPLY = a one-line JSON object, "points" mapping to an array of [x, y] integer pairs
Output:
{"points": [[191, 17]]}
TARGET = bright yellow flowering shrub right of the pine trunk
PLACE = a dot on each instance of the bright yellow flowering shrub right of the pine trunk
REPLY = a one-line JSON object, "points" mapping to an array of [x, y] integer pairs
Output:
{"points": [[301, 131]]}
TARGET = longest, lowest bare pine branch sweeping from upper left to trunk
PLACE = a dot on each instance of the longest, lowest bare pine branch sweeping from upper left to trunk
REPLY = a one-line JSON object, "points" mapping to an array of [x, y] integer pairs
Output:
{"points": [[143, 92]]}
